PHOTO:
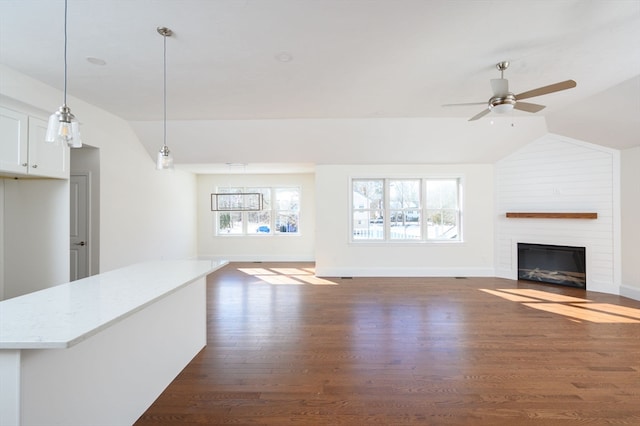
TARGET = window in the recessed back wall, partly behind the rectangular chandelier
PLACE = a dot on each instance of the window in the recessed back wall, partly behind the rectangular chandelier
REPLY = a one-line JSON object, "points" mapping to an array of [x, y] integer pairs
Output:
{"points": [[280, 213]]}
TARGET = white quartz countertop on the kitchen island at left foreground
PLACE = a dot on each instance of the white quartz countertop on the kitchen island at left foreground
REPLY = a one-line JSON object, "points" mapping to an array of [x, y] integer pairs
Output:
{"points": [[64, 315]]}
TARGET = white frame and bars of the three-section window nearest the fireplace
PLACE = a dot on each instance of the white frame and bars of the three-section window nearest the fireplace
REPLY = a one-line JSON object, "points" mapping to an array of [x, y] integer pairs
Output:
{"points": [[422, 210]]}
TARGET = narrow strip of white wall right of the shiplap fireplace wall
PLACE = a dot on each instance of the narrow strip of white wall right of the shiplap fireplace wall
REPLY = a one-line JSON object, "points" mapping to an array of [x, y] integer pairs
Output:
{"points": [[630, 200]]}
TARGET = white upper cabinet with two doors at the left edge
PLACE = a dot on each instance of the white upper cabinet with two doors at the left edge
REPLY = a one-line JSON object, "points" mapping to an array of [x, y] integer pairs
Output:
{"points": [[23, 150]]}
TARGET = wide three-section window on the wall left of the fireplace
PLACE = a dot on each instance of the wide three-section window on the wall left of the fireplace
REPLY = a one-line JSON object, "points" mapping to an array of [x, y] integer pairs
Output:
{"points": [[415, 209]]}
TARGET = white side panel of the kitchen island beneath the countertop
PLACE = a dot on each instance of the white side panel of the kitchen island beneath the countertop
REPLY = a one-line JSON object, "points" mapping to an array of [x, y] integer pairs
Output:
{"points": [[115, 375]]}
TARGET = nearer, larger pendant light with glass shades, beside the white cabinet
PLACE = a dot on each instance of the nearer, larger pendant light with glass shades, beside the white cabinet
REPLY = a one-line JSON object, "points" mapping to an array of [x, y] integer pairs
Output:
{"points": [[63, 126]]}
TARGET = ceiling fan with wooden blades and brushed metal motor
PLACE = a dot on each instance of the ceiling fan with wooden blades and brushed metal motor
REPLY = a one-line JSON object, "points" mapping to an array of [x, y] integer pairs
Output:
{"points": [[504, 101]]}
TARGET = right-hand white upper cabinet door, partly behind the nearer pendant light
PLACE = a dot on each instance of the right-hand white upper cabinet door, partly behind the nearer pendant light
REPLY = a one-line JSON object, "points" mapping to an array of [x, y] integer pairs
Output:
{"points": [[46, 159]]}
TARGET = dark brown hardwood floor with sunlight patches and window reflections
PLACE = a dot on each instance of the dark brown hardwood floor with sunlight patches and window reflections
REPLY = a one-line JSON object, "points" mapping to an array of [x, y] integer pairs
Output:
{"points": [[285, 348]]}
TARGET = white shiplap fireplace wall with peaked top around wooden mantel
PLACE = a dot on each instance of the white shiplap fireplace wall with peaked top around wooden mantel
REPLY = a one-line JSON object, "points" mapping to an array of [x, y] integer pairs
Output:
{"points": [[559, 174]]}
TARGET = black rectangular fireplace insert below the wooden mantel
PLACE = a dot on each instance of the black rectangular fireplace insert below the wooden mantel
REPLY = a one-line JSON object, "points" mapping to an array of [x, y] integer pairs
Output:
{"points": [[552, 264]]}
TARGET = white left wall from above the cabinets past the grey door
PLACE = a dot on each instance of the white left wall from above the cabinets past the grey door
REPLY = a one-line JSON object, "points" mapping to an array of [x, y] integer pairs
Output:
{"points": [[144, 214]]}
